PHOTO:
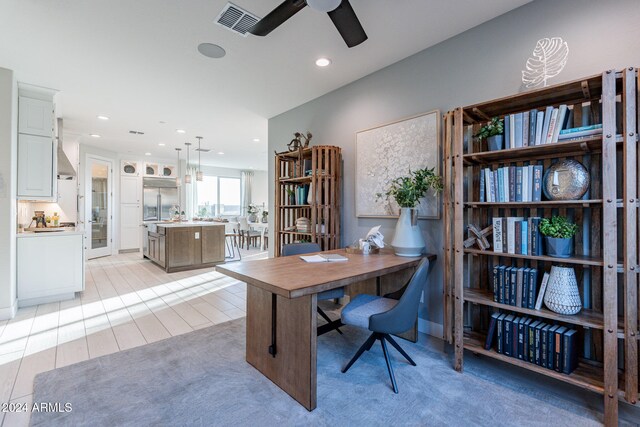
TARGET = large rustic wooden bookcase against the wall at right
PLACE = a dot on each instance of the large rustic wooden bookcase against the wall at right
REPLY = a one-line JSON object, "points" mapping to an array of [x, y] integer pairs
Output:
{"points": [[606, 246]]}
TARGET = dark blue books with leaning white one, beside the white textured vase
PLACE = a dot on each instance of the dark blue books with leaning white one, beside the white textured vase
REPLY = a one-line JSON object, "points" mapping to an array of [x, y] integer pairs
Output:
{"points": [[518, 286]]}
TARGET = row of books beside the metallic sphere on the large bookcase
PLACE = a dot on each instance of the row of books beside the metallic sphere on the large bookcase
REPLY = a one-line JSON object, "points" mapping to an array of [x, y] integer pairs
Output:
{"points": [[511, 184]]}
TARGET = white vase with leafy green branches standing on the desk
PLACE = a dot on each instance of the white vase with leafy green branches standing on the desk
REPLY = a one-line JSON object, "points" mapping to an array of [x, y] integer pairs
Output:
{"points": [[407, 192]]}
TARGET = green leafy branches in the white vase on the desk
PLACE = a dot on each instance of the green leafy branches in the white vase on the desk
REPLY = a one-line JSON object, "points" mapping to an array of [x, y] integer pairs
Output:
{"points": [[408, 190]]}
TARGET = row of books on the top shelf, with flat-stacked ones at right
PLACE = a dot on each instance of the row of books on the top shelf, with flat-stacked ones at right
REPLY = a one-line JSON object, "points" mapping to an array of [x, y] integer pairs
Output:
{"points": [[536, 127]]}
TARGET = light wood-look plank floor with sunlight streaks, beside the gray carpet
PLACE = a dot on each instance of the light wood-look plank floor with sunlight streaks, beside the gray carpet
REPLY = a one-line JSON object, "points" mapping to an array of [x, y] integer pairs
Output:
{"points": [[127, 302]]}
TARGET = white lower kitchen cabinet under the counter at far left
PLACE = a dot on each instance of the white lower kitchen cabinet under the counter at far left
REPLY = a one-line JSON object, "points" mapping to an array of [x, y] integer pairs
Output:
{"points": [[50, 266]]}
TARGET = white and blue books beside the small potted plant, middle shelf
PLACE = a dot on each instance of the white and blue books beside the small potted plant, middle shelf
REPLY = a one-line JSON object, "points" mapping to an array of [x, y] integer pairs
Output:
{"points": [[517, 235]]}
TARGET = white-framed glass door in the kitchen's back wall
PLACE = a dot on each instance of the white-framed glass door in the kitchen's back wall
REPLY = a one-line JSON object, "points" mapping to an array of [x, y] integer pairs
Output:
{"points": [[98, 207]]}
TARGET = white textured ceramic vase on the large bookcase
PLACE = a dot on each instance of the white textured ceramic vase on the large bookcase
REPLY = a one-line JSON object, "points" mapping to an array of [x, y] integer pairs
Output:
{"points": [[562, 294]]}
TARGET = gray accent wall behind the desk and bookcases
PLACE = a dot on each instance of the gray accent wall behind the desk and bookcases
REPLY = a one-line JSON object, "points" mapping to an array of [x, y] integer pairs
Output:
{"points": [[480, 64]]}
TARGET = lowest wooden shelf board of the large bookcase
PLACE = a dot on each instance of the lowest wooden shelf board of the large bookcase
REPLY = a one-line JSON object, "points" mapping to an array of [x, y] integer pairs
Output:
{"points": [[585, 376]]}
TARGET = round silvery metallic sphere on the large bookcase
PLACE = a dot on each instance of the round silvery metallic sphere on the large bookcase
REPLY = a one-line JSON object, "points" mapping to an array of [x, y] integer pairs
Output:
{"points": [[565, 180]]}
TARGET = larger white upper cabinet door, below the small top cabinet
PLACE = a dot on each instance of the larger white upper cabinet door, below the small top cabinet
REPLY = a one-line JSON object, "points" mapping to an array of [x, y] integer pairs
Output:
{"points": [[36, 167]]}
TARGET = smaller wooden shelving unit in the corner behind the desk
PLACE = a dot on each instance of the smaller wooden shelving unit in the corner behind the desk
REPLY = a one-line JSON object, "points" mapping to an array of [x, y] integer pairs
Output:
{"points": [[319, 168]]}
